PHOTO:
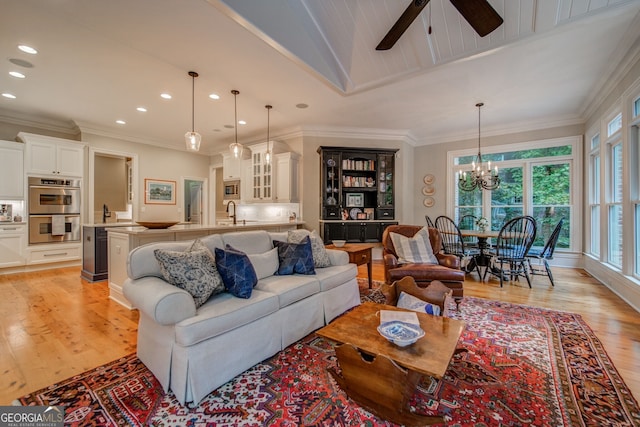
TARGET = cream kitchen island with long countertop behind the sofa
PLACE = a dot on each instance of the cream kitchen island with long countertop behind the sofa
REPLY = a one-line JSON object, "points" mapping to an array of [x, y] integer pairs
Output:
{"points": [[122, 240]]}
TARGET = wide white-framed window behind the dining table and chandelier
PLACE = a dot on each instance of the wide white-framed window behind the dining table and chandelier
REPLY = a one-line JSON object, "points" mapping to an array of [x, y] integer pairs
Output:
{"points": [[534, 181]]}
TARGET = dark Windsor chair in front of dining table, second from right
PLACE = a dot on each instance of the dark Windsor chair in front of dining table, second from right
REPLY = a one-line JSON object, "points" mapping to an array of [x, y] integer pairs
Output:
{"points": [[512, 245]]}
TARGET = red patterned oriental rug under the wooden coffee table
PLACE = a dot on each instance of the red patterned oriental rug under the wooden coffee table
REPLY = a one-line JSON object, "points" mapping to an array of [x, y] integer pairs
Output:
{"points": [[523, 366]]}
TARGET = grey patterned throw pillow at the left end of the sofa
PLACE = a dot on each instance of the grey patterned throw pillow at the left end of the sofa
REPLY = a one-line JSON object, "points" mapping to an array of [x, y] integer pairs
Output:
{"points": [[193, 270]]}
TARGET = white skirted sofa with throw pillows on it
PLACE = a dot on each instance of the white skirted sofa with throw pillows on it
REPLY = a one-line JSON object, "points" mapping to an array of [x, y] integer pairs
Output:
{"points": [[194, 351]]}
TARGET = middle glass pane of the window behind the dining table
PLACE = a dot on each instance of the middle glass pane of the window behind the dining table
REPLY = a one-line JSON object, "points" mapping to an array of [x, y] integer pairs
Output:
{"points": [[506, 201]]}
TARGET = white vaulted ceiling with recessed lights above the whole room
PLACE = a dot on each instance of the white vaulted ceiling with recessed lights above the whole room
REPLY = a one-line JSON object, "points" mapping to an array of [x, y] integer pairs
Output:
{"points": [[99, 60]]}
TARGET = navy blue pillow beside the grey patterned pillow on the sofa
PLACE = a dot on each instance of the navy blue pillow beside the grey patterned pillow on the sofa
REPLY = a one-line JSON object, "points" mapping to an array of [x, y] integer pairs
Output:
{"points": [[238, 275]]}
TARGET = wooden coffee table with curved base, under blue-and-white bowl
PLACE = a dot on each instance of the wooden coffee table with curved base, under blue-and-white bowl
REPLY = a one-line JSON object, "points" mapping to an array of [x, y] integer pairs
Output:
{"points": [[381, 376]]}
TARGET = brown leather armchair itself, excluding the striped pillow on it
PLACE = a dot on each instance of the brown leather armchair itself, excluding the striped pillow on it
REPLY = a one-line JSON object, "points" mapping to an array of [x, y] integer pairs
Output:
{"points": [[442, 267]]}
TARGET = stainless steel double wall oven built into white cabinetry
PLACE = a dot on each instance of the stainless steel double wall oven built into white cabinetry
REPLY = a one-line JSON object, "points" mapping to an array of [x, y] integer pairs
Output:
{"points": [[54, 210]]}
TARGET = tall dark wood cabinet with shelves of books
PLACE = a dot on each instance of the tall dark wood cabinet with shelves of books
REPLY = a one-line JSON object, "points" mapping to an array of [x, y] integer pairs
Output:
{"points": [[357, 193]]}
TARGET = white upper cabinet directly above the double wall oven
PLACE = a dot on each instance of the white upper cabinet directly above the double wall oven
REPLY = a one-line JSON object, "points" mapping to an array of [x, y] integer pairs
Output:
{"points": [[53, 156]]}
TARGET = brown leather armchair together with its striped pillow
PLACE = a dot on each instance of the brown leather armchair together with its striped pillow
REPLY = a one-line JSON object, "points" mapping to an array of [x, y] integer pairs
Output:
{"points": [[414, 250]]}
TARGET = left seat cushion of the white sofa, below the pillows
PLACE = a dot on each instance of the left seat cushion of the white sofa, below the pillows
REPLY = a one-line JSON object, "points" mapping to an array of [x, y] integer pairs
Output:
{"points": [[224, 313]]}
